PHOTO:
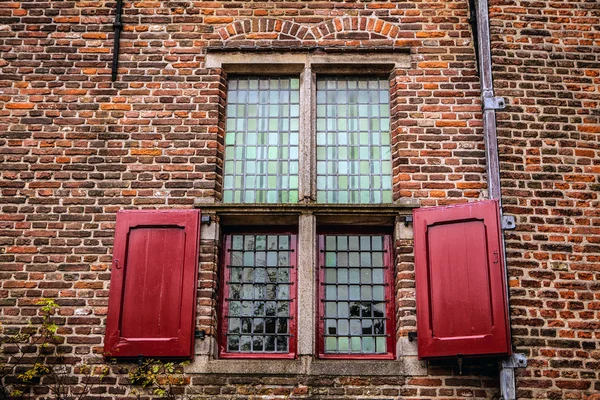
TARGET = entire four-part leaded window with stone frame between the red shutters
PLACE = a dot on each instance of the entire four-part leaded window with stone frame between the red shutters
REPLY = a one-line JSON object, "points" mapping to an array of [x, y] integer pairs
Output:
{"points": [[307, 147]]}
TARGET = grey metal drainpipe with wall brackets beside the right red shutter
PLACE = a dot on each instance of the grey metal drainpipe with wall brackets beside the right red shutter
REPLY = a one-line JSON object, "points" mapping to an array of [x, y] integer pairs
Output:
{"points": [[490, 104]]}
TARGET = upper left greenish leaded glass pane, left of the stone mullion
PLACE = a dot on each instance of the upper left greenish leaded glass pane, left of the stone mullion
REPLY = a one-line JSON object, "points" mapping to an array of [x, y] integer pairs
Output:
{"points": [[261, 142]]}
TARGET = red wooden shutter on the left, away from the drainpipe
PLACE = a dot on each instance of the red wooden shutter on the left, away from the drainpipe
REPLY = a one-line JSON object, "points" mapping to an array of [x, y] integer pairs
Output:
{"points": [[152, 303]]}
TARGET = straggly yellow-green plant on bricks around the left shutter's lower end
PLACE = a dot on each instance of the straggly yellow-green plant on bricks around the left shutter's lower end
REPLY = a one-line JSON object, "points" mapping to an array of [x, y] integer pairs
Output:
{"points": [[30, 357]]}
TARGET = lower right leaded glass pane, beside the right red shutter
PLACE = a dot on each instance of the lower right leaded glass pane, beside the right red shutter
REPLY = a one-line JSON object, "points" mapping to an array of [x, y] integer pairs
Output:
{"points": [[355, 294]]}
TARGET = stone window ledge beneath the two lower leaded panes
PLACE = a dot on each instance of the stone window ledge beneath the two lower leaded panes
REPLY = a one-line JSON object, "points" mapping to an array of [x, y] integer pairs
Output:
{"points": [[405, 366]]}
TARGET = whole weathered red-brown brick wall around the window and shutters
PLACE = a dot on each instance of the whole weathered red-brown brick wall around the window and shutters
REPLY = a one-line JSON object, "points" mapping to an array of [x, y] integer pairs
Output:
{"points": [[75, 148]]}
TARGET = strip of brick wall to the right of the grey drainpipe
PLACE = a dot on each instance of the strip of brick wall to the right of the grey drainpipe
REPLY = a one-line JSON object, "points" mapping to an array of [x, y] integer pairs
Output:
{"points": [[547, 64]]}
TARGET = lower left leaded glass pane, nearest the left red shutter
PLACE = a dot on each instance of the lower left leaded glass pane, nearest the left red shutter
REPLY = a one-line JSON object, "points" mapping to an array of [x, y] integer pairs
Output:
{"points": [[259, 294]]}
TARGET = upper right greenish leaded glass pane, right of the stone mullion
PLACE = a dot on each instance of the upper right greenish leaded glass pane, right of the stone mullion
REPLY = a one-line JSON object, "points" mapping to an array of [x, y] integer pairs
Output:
{"points": [[353, 140]]}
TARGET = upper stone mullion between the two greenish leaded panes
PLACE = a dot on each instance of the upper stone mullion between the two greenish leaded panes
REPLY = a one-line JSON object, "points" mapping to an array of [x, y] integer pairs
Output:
{"points": [[307, 156]]}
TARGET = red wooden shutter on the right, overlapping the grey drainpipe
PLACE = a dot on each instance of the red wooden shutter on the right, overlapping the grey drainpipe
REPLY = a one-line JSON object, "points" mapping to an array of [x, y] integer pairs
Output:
{"points": [[460, 281]]}
